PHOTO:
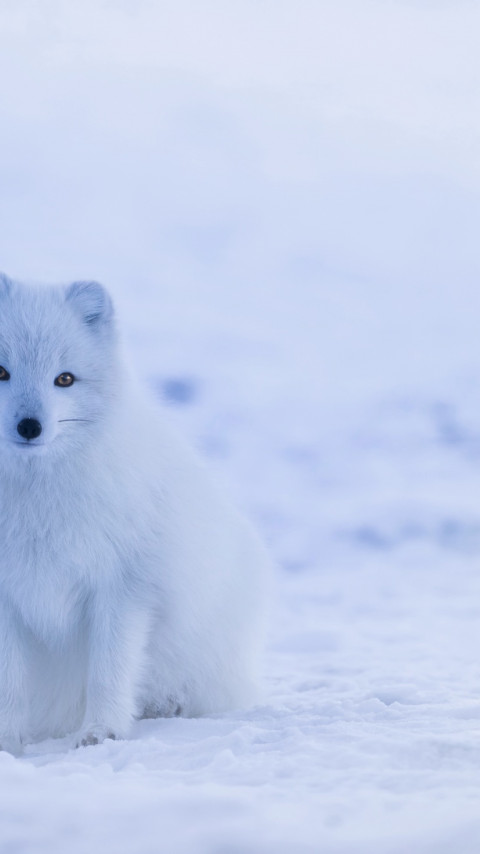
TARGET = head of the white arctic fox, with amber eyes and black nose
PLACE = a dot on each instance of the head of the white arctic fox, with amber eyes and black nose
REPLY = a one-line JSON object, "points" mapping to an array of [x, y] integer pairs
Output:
{"points": [[57, 366]]}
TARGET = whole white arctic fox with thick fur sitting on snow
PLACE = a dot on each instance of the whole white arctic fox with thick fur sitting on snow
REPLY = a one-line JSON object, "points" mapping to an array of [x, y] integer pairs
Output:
{"points": [[128, 587]]}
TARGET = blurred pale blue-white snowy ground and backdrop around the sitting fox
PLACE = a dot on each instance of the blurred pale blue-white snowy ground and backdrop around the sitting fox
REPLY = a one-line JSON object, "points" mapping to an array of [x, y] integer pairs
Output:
{"points": [[283, 198]]}
